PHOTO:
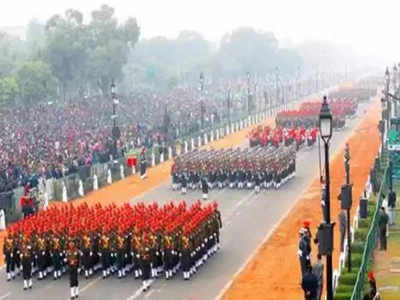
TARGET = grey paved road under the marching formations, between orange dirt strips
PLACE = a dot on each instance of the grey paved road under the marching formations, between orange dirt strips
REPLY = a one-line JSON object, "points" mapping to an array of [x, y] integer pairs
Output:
{"points": [[247, 219]]}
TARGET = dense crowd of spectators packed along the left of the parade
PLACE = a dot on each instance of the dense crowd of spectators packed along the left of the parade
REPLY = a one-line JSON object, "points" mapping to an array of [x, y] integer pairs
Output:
{"points": [[53, 139]]}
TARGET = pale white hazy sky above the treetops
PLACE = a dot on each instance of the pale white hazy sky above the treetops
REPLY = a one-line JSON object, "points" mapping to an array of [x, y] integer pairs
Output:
{"points": [[371, 27]]}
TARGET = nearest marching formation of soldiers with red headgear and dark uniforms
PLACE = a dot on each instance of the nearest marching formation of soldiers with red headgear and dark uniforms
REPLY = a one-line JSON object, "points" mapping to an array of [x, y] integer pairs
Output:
{"points": [[148, 241]]}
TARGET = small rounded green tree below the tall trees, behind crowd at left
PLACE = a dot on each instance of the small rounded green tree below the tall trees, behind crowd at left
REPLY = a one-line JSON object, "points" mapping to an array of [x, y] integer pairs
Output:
{"points": [[36, 82]]}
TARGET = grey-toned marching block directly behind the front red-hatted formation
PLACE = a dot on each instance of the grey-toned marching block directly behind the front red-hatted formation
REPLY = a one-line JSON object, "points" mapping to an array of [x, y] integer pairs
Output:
{"points": [[251, 168]]}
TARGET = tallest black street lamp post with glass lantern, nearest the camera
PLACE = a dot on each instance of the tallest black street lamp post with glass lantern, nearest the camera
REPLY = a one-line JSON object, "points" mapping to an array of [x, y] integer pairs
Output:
{"points": [[325, 127]]}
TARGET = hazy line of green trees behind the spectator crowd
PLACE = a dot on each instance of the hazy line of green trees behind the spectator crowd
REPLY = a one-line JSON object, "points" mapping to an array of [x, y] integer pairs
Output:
{"points": [[70, 57]]}
